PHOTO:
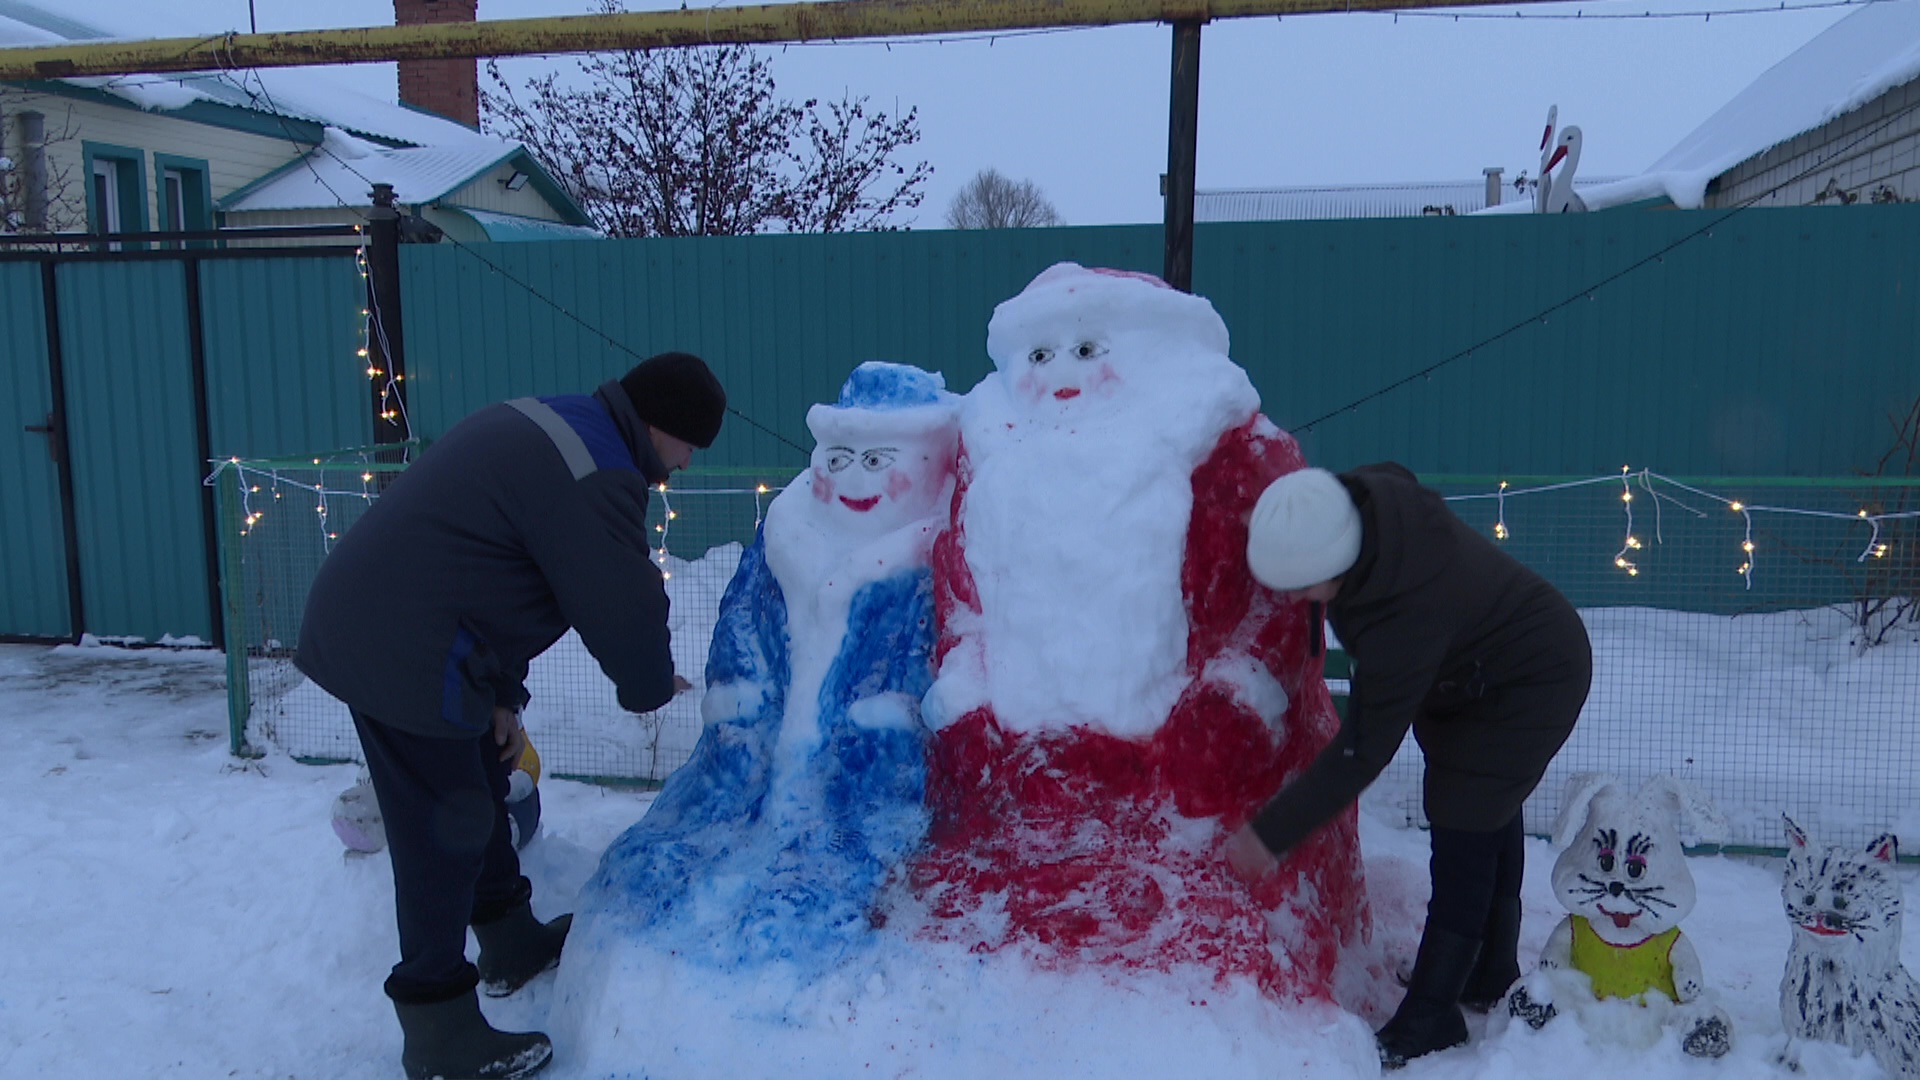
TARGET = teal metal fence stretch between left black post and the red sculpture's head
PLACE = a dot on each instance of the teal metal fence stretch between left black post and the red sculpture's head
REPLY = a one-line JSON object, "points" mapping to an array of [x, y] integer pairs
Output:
{"points": [[782, 320]]}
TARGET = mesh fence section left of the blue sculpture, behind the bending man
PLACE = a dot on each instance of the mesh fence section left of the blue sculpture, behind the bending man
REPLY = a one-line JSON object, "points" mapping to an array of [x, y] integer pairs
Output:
{"points": [[281, 520]]}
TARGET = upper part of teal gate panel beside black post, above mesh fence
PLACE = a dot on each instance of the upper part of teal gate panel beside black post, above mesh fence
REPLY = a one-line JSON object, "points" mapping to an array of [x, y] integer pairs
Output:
{"points": [[283, 368]]}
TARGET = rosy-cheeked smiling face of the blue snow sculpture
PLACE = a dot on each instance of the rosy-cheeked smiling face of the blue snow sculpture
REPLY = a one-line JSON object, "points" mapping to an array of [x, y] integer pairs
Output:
{"points": [[880, 487]]}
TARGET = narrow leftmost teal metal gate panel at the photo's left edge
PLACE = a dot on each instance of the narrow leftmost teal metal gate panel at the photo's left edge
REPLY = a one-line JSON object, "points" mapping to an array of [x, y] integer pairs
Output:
{"points": [[34, 564]]}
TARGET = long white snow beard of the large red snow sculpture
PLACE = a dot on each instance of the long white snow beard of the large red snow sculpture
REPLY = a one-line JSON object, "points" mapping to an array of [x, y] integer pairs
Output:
{"points": [[1076, 535]]}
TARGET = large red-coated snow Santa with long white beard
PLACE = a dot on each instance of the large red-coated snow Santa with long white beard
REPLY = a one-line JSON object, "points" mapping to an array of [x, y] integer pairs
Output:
{"points": [[1116, 695]]}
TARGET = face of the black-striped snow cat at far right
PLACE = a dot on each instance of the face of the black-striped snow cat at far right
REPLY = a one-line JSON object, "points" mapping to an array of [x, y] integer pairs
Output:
{"points": [[1840, 896]]}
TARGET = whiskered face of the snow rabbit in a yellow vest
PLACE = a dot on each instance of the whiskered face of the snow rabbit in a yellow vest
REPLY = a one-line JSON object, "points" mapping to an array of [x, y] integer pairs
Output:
{"points": [[1625, 873]]}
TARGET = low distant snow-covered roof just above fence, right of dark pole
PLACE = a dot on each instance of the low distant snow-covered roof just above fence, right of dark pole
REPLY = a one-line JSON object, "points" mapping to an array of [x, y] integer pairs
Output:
{"points": [[1356, 201]]}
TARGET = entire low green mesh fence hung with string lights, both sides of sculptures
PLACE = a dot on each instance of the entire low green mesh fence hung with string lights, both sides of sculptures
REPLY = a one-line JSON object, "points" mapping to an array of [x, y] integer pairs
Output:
{"points": [[1756, 637]]}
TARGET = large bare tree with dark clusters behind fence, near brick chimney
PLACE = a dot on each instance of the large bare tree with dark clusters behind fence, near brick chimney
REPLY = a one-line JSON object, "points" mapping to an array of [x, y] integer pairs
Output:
{"points": [[696, 141]]}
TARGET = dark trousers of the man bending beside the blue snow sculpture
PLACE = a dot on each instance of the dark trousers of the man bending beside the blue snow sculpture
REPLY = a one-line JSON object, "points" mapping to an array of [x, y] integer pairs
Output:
{"points": [[444, 806]]}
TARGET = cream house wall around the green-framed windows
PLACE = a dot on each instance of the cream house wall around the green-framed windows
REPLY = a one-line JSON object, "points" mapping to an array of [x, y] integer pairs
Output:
{"points": [[235, 159]]}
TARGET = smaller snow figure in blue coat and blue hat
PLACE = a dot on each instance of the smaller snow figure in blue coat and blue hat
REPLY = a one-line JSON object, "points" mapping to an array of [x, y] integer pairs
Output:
{"points": [[809, 781]]}
